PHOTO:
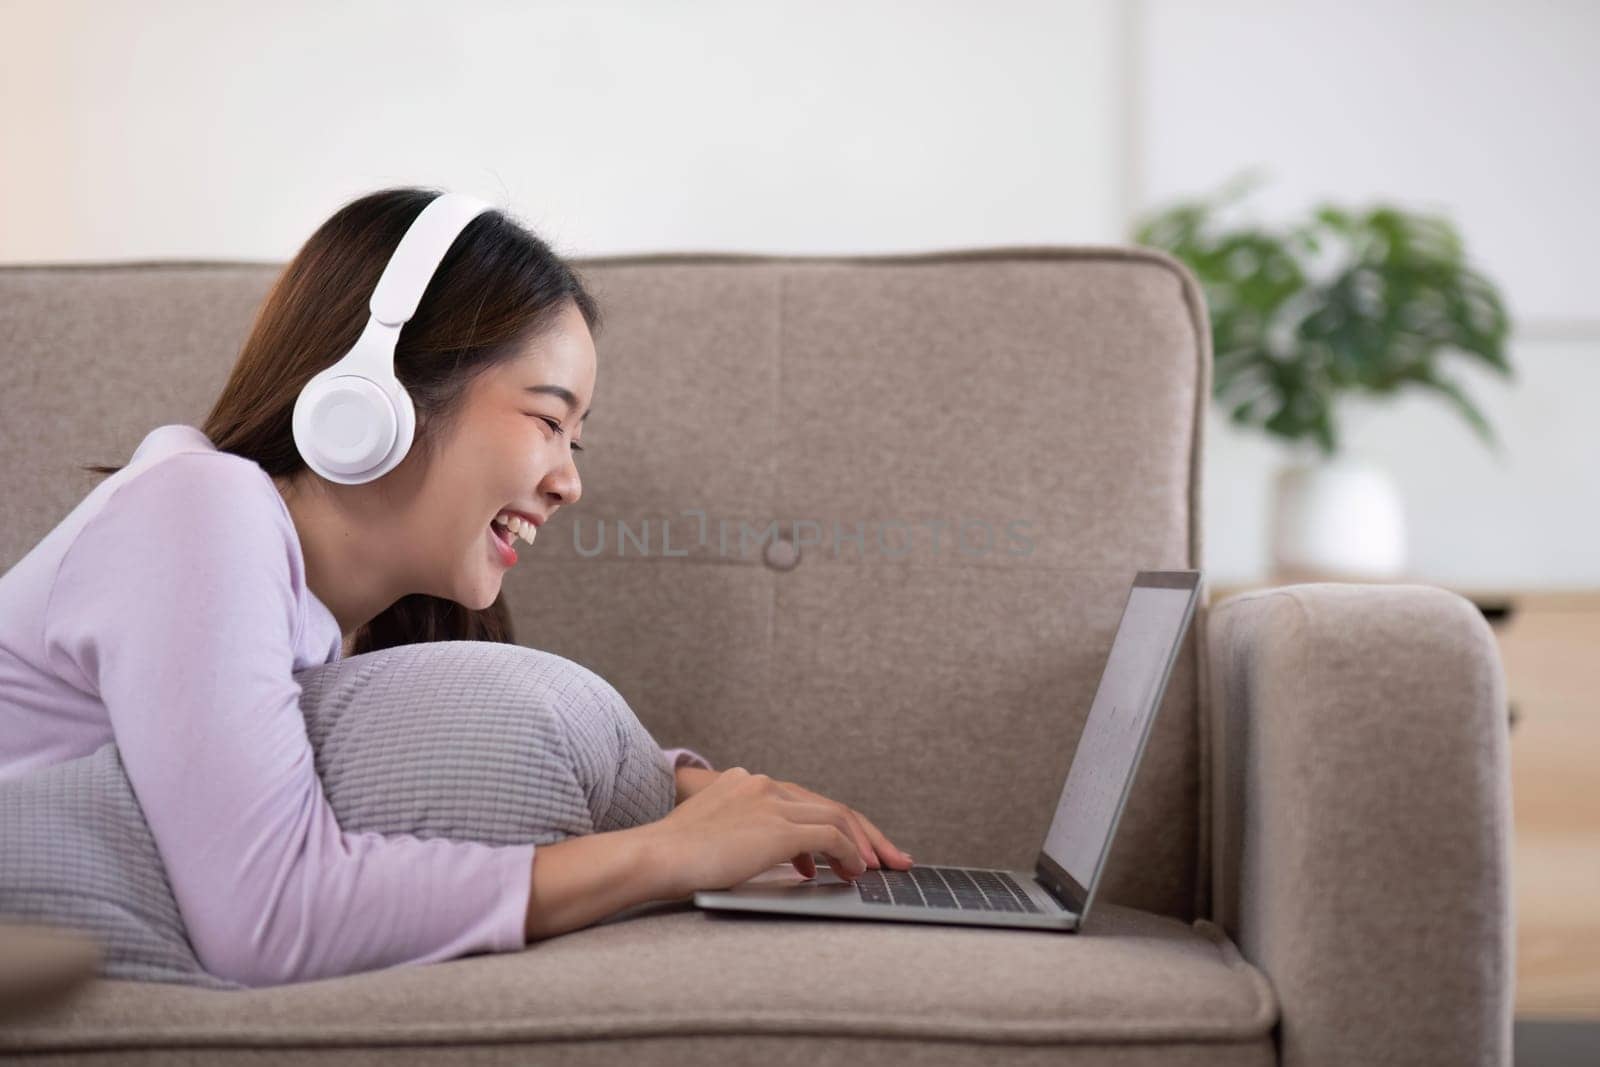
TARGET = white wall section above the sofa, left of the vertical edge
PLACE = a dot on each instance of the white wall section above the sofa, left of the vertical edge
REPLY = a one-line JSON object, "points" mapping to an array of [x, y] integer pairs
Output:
{"points": [[228, 129]]}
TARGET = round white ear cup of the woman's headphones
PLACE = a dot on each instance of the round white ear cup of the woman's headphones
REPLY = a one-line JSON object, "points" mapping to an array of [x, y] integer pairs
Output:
{"points": [[348, 426]]}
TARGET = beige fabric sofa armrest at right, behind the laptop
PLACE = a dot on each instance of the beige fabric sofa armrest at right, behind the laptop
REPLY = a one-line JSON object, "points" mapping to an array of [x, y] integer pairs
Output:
{"points": [[1361, 821]]}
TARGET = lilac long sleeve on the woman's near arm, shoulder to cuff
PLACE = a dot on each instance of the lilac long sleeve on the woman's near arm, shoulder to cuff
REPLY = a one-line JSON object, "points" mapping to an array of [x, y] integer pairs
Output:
{"points": [[177, 604]]}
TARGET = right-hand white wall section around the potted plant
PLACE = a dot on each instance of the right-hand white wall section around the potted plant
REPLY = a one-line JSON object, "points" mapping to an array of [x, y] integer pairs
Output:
{"points": [[1486, 111]]}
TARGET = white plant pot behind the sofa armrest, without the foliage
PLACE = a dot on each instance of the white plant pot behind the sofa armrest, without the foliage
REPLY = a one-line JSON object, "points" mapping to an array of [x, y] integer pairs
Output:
{"points": [[1340, 521]]}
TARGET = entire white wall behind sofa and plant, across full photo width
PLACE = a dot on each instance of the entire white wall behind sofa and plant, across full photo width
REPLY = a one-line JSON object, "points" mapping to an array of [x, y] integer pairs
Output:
{"points": [[231, 130]]}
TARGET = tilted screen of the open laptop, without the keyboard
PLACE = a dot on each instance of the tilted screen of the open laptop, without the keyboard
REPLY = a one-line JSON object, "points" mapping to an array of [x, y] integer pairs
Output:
{"points": [[1143, 653]]}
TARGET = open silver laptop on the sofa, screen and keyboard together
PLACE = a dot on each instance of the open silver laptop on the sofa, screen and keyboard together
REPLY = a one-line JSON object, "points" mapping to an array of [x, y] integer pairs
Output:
{"points": [[1060, 892]]}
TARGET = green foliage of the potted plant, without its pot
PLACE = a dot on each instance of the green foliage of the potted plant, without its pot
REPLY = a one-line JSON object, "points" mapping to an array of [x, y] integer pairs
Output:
{"points": [[1401, 298]]}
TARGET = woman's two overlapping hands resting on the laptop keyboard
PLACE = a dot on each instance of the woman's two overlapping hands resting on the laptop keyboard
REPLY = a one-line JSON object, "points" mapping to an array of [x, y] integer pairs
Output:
{"points": [[740, 825]]}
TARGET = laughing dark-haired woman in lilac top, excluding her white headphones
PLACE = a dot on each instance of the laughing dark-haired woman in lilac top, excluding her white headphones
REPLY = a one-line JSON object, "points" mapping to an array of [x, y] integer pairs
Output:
{"points": [[174, 607]]}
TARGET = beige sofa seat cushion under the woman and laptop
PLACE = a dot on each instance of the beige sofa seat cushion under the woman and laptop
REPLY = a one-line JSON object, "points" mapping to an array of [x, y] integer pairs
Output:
{"points": [[676, 985]]}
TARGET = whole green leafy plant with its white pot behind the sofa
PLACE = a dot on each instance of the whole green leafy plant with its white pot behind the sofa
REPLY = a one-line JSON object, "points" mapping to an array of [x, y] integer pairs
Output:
{"points": [[1343, 305]]}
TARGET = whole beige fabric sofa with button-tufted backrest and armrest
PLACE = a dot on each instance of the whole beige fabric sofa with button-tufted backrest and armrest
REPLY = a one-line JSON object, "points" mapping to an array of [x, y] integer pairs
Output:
{"points": [[1313, 868]]}
